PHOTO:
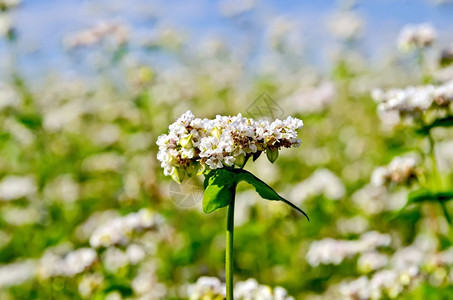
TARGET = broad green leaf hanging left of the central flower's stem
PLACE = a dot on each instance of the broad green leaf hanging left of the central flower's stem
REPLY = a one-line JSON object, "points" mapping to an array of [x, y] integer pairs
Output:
{"points": [[219, 189]]}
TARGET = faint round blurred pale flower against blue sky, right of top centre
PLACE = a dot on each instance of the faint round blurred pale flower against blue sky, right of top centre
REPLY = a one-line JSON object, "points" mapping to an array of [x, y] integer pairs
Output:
{"points": [[346, 25]]}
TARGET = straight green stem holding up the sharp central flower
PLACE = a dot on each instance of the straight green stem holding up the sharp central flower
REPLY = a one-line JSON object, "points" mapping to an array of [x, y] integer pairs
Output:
{"points": [[229, 249]]}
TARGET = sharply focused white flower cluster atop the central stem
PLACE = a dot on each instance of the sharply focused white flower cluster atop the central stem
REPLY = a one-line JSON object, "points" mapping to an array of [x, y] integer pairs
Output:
{"points": [[194, 143]]}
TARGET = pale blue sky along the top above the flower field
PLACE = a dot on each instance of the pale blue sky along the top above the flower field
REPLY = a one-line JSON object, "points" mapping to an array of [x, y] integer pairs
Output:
{"points": [[43, 23]]}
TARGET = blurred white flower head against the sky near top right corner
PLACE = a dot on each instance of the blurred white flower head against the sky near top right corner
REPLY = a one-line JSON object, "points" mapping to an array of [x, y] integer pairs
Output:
{"points": [[416, 36]]}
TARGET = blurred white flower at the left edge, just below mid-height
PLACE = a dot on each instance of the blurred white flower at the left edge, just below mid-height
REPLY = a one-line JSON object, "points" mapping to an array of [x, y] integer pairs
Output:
{"points": [[14, 187]]}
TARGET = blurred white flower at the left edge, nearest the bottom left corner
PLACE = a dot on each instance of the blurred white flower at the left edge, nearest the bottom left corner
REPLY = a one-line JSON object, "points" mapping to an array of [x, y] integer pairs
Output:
{"points": [[16, 273]]}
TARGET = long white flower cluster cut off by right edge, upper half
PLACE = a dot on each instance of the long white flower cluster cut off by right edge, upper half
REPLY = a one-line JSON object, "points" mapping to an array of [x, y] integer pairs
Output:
{"points": [[414, 98]]}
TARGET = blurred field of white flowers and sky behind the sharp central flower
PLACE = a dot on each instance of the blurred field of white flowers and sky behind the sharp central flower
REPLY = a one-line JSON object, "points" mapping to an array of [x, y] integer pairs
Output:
{"points": [[86, 87]]}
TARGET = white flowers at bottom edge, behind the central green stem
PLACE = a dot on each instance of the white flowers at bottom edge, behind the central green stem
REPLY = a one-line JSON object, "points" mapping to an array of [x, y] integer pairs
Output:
{"points": [[212, 288]]}
